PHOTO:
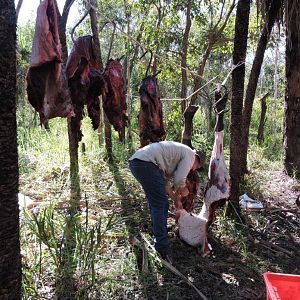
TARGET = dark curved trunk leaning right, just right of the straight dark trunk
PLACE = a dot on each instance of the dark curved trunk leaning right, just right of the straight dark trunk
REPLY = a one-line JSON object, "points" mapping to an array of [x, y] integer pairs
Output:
{"points": [[272, 13]]}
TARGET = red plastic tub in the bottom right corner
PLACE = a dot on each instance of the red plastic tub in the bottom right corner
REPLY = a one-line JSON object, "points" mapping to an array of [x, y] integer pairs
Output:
{"points": [[282, 286]]}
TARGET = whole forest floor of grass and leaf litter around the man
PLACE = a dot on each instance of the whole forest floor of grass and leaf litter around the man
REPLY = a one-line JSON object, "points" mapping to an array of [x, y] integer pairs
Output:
{"points": [[106, 264]]}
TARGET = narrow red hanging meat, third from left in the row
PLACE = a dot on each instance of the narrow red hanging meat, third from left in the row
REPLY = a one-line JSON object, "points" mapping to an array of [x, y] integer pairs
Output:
{"points": [[114, 98]]}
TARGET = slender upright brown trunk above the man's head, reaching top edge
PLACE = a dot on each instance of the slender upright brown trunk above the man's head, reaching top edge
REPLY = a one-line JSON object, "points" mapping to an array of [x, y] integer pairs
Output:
{"points": [[185, 42]]}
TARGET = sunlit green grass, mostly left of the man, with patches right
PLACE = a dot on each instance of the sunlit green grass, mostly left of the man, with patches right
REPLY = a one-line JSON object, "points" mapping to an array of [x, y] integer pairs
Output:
{"points": [[105, 264]]}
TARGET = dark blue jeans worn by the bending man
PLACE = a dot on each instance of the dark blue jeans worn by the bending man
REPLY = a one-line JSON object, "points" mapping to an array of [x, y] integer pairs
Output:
{"points": [[153, 183]]}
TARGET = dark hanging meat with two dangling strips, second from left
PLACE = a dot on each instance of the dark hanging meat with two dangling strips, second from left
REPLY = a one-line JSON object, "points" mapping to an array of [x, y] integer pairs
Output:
{"points": [[85, 81]]}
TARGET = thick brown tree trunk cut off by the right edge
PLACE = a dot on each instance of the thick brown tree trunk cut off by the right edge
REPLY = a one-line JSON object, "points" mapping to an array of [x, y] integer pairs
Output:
{"points": [[292, 94]]}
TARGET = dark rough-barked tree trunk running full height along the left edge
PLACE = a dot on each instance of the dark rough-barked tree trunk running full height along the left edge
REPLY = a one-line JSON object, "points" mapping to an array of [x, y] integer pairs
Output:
{"points": [[10, 258]]}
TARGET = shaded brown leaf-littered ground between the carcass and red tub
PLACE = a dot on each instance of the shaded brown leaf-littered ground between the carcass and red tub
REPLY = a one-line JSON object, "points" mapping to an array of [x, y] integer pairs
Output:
{"points": [[269, 241]]}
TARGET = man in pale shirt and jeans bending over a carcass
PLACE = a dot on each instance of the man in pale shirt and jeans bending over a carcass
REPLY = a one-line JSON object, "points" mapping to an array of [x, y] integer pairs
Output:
{"points": [[152, 166]]}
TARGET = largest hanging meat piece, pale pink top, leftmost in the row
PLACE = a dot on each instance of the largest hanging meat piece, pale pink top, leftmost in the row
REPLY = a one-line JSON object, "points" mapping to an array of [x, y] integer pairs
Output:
{"points": [[46, 83]]}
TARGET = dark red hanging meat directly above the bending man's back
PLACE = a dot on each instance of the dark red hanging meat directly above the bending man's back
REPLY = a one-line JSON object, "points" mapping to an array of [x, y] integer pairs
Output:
{"points": [[150, 116]]}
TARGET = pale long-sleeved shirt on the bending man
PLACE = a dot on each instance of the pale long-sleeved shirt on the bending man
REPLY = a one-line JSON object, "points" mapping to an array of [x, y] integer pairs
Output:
{"points": [[174, 159]]}
